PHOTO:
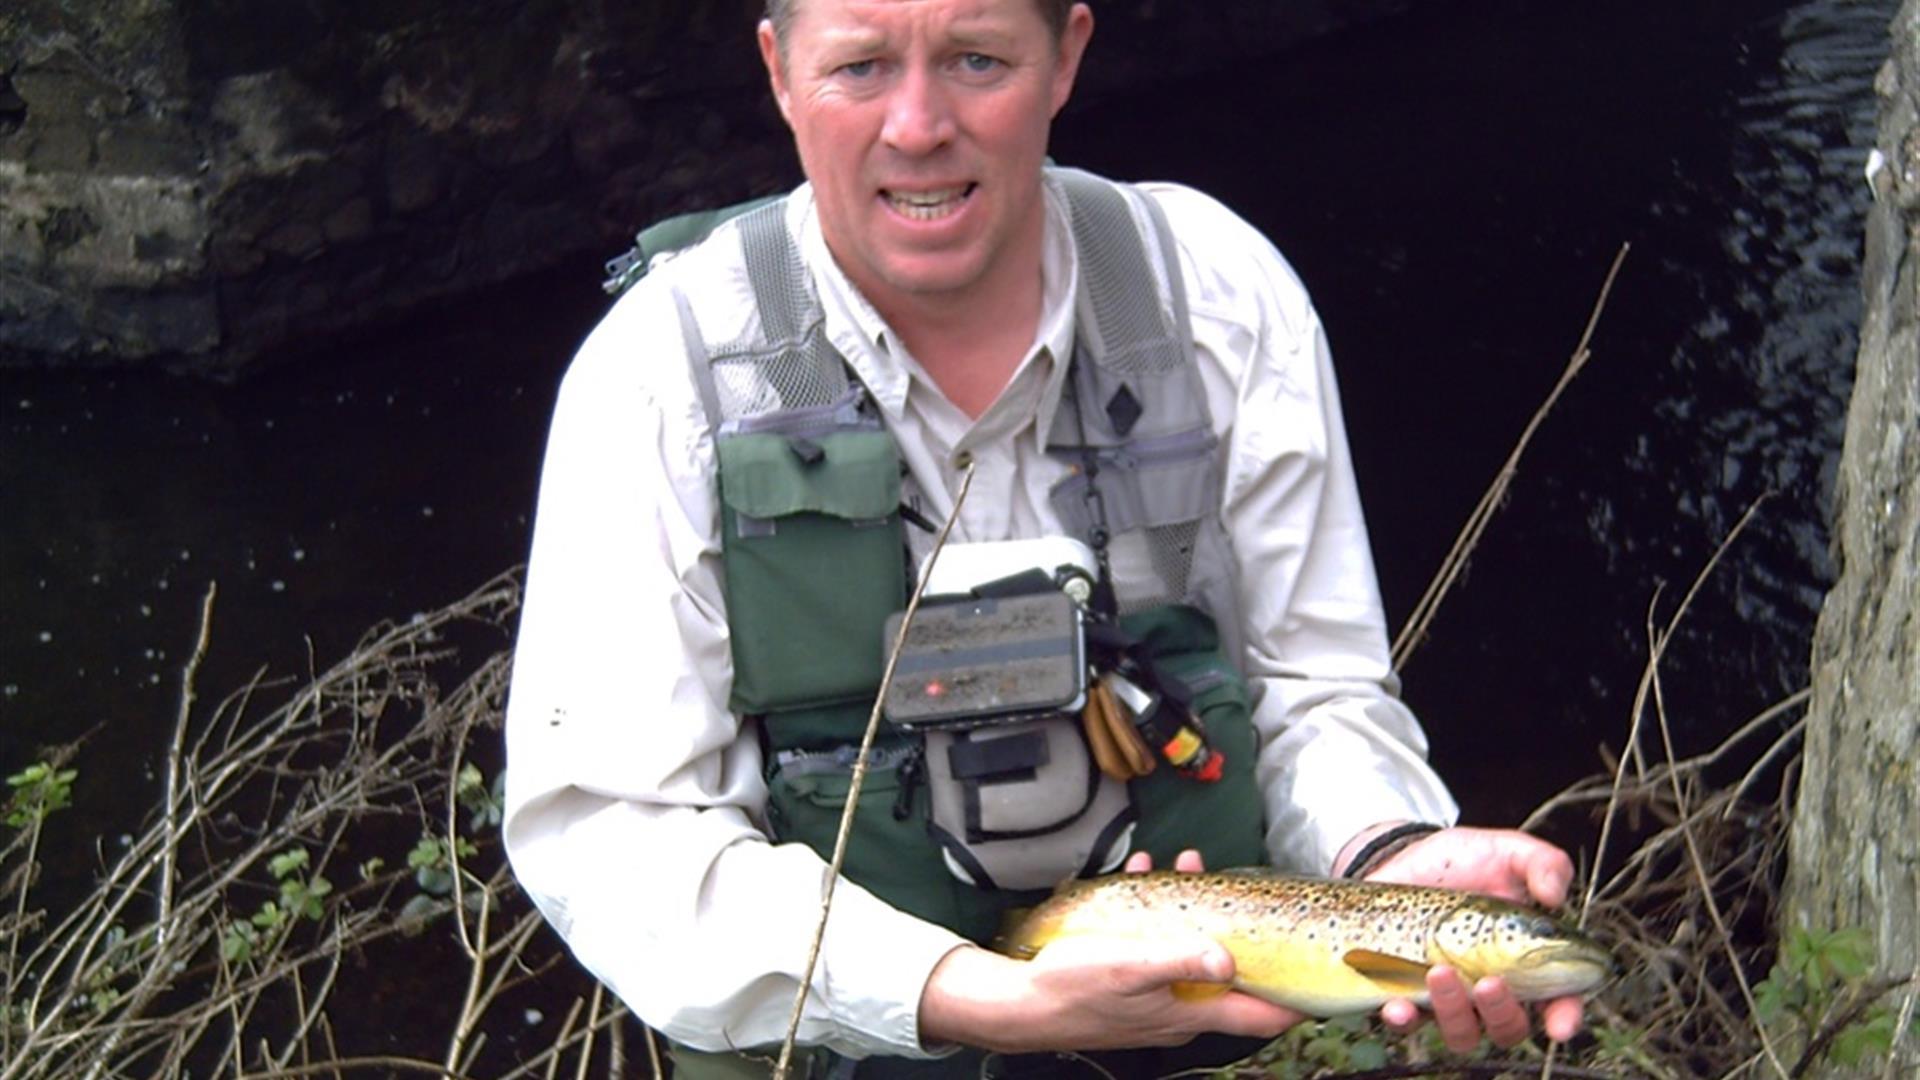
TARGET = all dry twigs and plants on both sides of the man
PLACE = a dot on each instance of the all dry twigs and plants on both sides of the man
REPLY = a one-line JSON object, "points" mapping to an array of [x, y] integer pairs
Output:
{"points": [[429, 966]]}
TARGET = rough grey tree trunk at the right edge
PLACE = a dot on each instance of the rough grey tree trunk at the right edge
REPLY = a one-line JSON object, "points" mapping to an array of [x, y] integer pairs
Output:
{"points": [[1856, 845]]}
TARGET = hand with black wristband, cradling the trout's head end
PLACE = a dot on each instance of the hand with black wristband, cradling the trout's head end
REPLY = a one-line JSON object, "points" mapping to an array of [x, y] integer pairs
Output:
{"points": [[1497, 862]]}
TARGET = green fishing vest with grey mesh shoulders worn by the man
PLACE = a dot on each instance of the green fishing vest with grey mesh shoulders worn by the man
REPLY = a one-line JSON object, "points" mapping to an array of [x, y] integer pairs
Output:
{"points": [[815, 552]]}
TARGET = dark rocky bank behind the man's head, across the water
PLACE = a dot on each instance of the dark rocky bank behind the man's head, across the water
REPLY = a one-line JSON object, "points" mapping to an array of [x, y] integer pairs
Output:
{"points": [[191, 184]]}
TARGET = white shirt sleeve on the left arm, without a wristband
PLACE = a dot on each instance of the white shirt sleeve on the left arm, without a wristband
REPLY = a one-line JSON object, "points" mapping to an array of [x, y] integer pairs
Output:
{"points": [[635, 802]]}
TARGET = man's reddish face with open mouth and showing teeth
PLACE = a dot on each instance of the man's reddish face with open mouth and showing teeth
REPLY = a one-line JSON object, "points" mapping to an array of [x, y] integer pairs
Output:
{"points": [[923, 126]]}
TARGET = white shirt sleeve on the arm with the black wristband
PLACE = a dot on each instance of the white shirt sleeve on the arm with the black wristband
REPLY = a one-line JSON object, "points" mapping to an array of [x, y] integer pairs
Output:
{"points": [[1339, 750]]}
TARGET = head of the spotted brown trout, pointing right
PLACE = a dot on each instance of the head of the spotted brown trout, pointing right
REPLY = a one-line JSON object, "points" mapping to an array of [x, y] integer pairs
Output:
{"points": [[1535, 954]]}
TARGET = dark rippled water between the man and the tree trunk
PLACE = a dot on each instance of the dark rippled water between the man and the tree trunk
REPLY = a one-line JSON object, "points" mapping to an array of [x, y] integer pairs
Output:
{"points": [[1454, 189]]}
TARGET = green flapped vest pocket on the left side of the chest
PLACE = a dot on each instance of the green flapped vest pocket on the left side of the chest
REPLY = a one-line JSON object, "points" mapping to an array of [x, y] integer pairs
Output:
{"points": [[813, 562]]}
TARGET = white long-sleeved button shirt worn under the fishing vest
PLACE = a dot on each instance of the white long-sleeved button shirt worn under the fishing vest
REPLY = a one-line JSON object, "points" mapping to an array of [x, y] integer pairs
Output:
{"points": [[636, 804]]}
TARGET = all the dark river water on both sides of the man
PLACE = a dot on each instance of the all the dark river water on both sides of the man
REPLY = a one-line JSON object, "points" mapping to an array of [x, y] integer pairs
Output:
{"points": [[1452, 189]]}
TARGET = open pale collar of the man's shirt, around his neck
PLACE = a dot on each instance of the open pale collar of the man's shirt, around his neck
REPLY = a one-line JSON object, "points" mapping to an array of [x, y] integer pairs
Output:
{"points": [[871, 347]]}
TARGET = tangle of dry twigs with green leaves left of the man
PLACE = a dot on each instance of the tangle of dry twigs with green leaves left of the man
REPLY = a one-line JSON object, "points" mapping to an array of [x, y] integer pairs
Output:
{"points": [[320, 895]]}
